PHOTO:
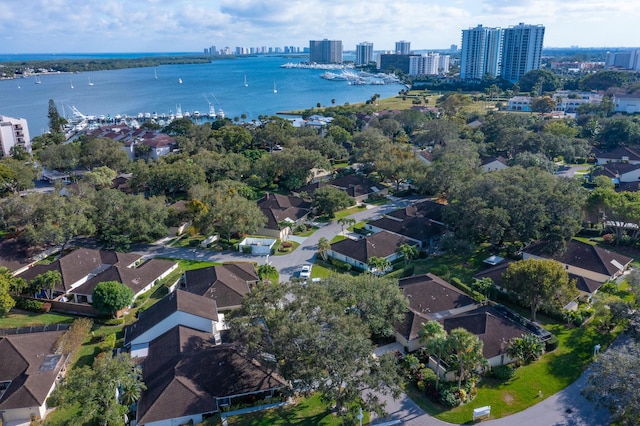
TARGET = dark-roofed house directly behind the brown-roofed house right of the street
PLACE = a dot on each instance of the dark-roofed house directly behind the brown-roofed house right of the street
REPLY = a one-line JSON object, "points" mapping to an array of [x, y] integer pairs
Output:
{"points": [[420, 223]]}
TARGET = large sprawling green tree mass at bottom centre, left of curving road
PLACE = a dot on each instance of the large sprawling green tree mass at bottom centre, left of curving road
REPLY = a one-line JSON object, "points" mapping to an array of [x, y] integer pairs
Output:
{"points": [[319, 337]]}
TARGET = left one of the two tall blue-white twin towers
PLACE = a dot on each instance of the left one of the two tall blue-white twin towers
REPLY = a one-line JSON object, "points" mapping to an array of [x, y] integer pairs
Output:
{"points": [[480, 54]]}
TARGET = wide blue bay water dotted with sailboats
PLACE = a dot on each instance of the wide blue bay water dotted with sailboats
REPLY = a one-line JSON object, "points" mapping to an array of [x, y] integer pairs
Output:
{"points": [[215, 88]]}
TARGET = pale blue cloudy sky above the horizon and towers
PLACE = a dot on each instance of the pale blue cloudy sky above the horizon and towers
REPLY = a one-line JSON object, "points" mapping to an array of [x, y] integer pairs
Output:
{"points": [[50, 26]]}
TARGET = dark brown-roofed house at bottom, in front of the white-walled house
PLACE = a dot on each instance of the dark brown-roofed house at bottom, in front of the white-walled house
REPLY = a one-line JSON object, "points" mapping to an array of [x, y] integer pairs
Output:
{"points": [[188, 377]]}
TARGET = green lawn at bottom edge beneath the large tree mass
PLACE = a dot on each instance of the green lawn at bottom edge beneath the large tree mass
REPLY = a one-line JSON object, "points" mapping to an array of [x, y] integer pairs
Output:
{"points": [[310, 411]]}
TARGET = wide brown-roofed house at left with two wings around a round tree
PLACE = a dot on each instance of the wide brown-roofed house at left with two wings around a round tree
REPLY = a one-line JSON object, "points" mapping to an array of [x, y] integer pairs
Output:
{"points": [[83, 269]]}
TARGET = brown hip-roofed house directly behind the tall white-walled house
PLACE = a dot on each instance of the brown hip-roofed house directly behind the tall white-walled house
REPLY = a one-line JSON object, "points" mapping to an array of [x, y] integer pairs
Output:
{"points": [[226, 284]]}
